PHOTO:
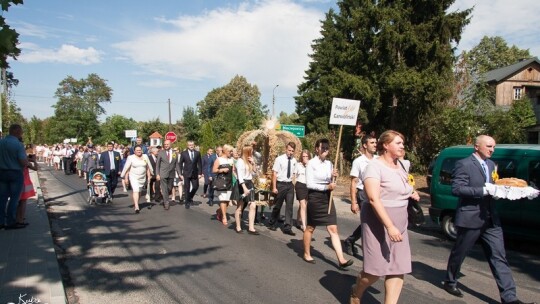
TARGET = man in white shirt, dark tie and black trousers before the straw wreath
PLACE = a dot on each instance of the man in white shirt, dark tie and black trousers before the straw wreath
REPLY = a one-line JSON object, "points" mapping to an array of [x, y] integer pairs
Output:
{"points": [[283, 189]]}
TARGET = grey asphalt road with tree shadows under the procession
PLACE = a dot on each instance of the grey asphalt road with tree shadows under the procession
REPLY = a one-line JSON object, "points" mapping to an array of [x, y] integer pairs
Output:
{"points": [[109, 254]]}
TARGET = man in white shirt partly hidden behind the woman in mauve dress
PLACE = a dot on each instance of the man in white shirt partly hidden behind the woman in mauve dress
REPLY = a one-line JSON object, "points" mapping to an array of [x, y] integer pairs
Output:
{"points": [[358, 196]]}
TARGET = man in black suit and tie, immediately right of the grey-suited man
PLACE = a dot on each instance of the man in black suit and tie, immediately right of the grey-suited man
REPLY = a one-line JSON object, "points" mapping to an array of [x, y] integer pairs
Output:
{"points": [[190, 171]]}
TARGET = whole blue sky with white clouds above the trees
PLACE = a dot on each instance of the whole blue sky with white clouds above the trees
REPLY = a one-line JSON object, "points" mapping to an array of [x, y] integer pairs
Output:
{"points": [[150, 51]]}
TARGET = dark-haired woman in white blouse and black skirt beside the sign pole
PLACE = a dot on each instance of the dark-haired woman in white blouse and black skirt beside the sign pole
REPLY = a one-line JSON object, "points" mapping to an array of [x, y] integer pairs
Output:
{"points": [[319, 174]]}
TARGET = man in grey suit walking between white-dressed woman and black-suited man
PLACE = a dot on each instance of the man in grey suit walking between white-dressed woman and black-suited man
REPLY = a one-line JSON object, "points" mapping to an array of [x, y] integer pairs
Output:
{"points": [[166, 168]]}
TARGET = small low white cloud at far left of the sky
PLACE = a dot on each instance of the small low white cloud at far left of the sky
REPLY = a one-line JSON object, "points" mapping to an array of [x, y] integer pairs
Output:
{"points": [[70, 54]]}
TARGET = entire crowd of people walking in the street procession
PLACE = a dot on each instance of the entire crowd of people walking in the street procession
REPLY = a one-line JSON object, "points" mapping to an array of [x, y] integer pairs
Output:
{"points": [[379, 193]]}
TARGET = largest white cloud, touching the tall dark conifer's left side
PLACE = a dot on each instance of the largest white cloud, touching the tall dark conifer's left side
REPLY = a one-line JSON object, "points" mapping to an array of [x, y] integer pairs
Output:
{"points": [[268, 42]]}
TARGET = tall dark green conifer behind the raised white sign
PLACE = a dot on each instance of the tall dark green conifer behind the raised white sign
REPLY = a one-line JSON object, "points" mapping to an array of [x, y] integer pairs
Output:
{"points": [[394, 56]]}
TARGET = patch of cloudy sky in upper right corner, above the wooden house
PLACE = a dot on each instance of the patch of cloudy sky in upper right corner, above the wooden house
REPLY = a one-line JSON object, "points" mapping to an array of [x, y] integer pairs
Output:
{"points": [[516, 22]]}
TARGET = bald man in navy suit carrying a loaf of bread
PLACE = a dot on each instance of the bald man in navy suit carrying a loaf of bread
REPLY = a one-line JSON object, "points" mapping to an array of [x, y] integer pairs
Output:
{"points": [[476, 218]]}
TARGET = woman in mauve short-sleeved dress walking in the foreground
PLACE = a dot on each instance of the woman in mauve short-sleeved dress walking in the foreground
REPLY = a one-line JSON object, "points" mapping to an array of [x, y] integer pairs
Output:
{"points": [[385, 241]]}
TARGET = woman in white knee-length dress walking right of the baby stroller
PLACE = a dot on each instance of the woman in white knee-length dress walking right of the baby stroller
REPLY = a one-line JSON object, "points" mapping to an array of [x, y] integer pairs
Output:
{"points": [[137, 169]]}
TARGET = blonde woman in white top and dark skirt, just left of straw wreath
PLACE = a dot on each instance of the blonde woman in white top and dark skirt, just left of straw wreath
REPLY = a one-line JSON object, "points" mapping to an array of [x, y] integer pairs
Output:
{"points": [[245, 168]]}
